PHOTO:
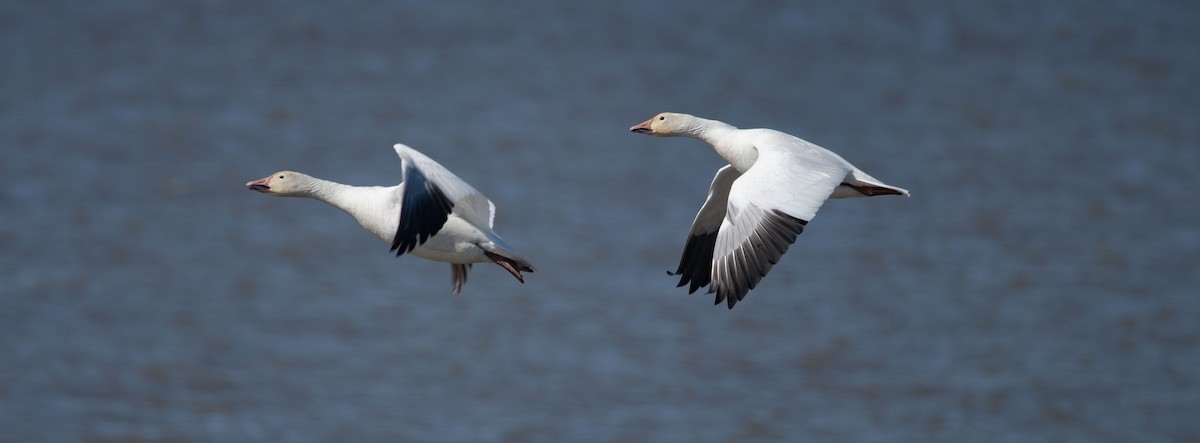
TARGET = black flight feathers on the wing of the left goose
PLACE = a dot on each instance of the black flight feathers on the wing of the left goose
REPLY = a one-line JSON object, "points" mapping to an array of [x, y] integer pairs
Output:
{"points": [[423, 212]]}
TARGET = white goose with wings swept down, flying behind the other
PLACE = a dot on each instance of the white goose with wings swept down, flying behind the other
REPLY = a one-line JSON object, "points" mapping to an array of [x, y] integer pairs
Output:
{"points": [[759, 203]]}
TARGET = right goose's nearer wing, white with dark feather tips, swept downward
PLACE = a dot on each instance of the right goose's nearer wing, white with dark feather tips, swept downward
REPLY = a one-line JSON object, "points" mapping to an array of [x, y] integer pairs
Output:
{"points": [[769, 207]]}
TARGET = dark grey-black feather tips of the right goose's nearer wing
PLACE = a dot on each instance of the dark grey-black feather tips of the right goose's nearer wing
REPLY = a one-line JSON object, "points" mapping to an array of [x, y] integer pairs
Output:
{"points": [[743, 268]]}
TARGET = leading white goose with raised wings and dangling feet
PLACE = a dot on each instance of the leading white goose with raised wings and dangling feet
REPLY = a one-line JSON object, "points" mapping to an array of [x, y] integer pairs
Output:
{"points": [[433, 214]]}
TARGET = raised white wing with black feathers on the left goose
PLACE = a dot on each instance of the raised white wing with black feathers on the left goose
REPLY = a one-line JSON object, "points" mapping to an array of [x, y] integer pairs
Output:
{"points": [[431, 194]]}
